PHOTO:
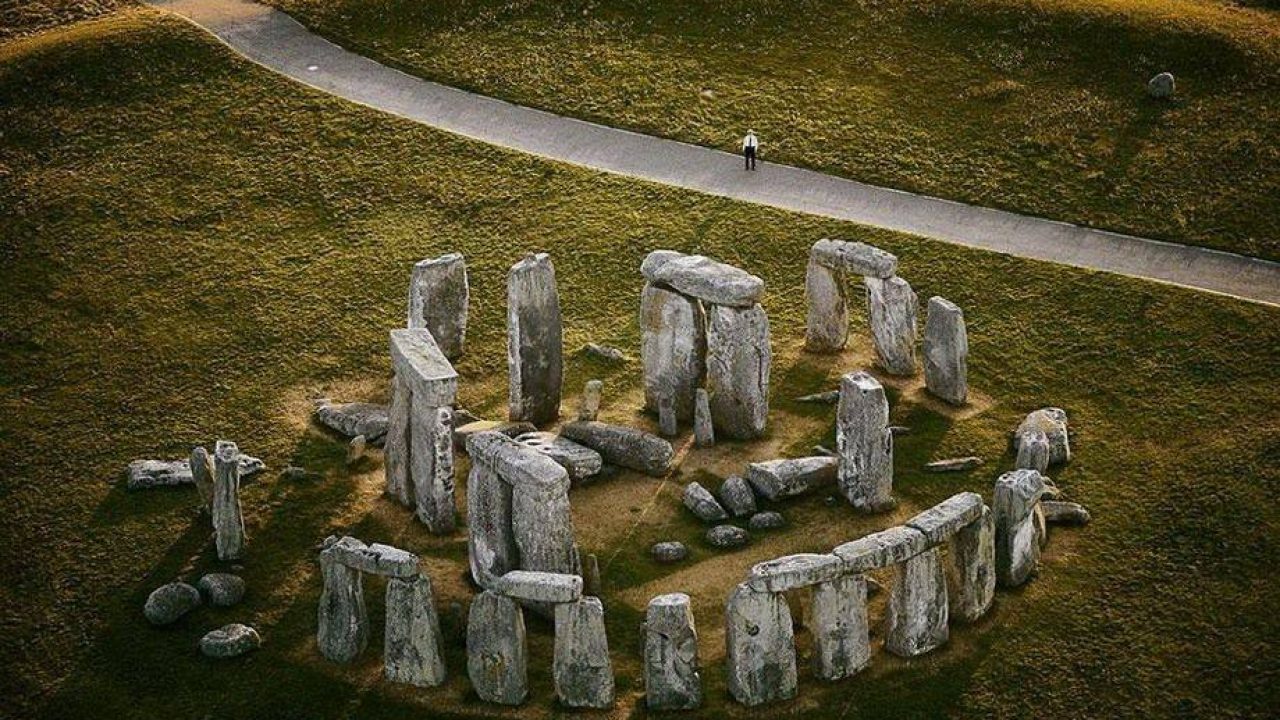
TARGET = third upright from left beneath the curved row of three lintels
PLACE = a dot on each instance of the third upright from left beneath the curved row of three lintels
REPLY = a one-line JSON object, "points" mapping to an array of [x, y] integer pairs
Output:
{"points": [[917, 617]]}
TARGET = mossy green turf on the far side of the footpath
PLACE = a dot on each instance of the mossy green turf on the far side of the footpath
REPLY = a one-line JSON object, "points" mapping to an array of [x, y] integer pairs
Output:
{"points": [[1032, 106]]}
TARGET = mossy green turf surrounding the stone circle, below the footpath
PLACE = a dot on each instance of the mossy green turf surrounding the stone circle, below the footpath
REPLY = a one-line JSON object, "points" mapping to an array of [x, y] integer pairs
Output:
{"points": [[194, 248]]}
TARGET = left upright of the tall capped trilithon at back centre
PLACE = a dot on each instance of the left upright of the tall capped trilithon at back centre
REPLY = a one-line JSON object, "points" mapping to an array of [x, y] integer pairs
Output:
{"points": [[673, 349]]}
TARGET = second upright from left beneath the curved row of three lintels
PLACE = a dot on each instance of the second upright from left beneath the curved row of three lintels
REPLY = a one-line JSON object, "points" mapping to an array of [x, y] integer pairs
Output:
{"points": [[842, 631]]}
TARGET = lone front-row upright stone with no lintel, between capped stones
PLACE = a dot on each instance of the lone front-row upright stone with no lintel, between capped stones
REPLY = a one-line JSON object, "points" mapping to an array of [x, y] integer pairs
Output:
{"points": [[671, 676]]}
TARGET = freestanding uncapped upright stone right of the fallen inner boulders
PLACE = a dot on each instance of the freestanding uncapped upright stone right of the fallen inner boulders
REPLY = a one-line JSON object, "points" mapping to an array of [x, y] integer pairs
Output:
{"points": [[865, 444]]}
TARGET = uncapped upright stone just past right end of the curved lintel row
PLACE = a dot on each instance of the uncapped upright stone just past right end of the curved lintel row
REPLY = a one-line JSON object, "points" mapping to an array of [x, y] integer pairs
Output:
{"points": [[1017, 496]]}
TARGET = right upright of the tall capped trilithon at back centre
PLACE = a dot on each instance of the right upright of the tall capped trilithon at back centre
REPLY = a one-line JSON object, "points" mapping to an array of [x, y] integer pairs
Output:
{"points": [[738, 371]]}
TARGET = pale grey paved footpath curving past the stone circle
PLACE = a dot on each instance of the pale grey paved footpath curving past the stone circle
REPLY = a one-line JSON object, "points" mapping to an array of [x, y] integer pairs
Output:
{"points": [[278, 43]]}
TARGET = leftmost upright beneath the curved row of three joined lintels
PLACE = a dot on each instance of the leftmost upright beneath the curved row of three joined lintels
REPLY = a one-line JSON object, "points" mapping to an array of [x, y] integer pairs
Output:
{"points": [[761, 648]]}
